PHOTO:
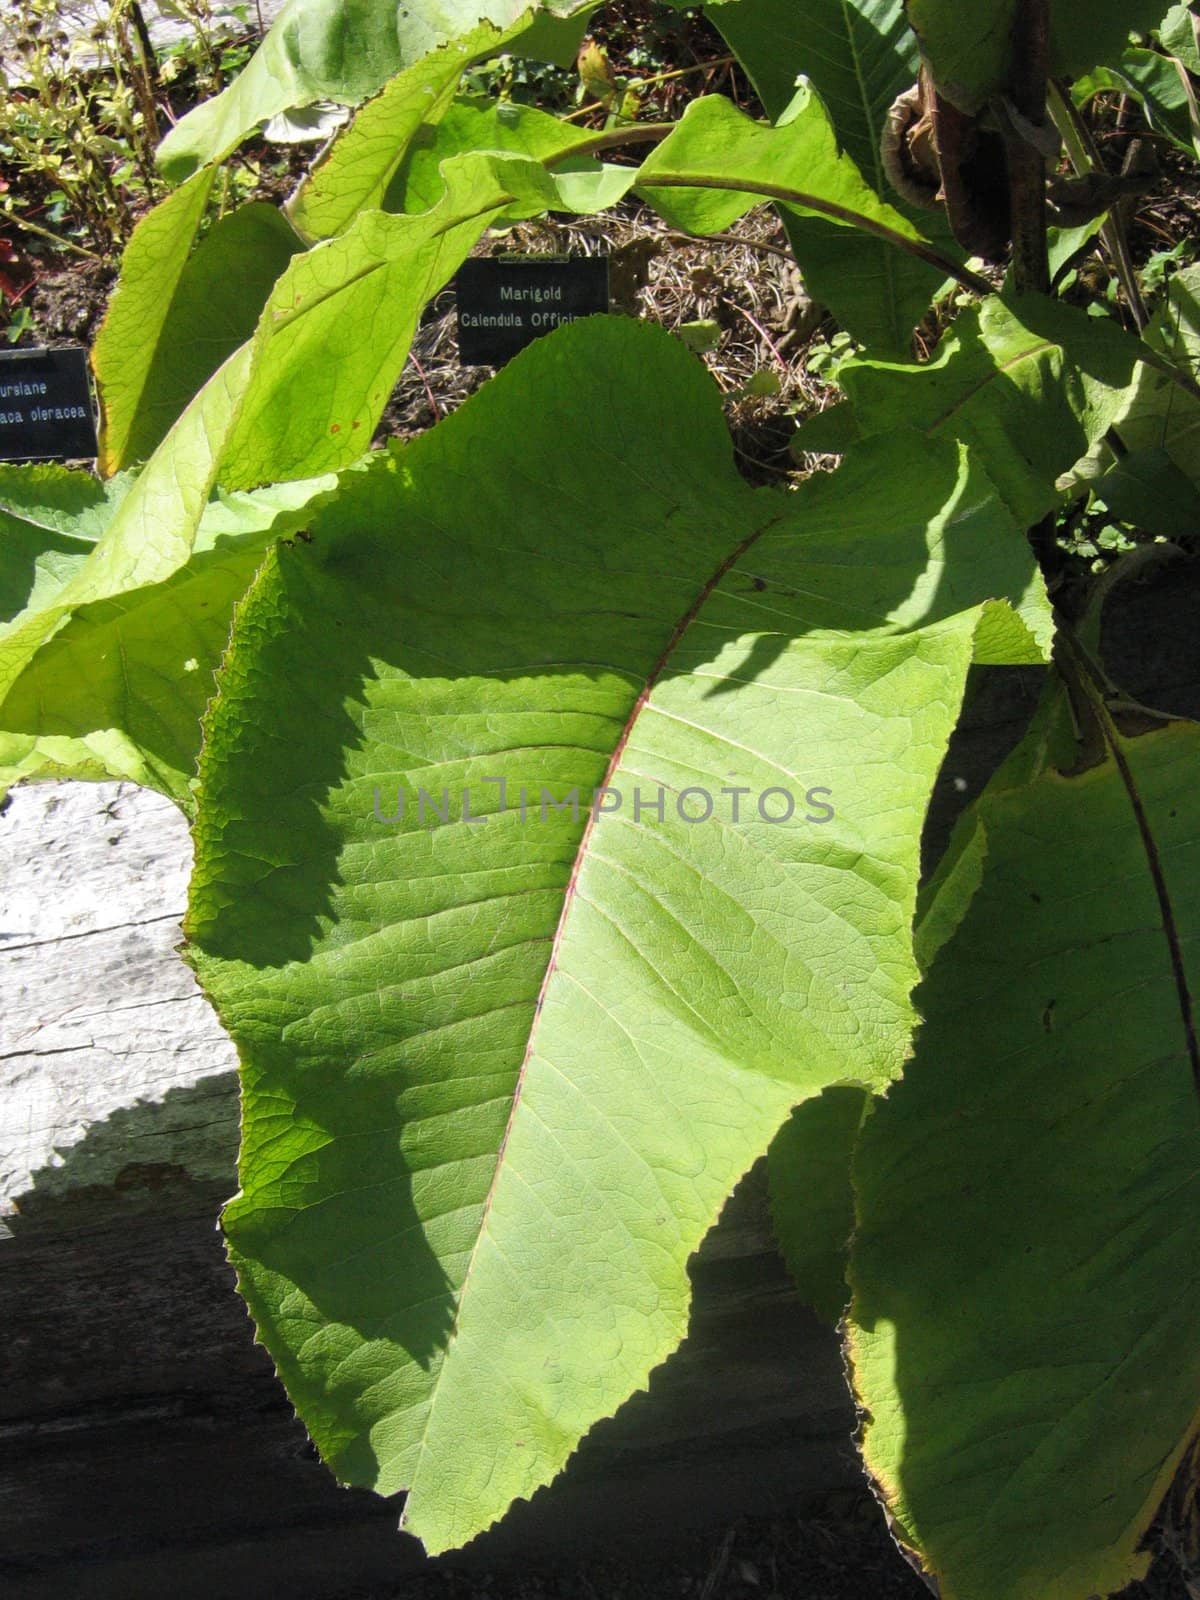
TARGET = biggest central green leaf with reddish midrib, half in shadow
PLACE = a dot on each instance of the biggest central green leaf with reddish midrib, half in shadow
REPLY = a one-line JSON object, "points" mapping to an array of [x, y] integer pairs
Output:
{"points": [[498, 1078]]}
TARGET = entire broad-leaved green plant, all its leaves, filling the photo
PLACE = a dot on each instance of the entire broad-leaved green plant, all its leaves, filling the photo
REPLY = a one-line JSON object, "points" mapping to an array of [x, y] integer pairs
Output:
{"points": [[558, 794]]}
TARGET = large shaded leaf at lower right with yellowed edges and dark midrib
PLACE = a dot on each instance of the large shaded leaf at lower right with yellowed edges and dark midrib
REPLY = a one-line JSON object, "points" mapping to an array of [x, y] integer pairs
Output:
{"points": [[1026, 1287]]}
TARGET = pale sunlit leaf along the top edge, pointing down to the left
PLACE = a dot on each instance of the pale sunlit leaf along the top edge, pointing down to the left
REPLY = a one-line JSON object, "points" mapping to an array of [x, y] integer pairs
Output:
{"points": [[346, 50]]}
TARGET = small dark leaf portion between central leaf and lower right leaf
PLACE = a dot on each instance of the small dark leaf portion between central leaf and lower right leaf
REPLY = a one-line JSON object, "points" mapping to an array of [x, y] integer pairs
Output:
{"points": [[812, 1198]]}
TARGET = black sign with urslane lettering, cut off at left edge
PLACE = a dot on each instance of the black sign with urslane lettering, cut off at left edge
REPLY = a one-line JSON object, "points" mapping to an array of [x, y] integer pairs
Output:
{"points": [[46, 406]]}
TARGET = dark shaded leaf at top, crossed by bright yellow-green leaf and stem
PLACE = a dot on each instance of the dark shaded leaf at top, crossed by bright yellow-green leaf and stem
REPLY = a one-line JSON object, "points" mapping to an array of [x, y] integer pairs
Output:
{"points": [[860, 58]]}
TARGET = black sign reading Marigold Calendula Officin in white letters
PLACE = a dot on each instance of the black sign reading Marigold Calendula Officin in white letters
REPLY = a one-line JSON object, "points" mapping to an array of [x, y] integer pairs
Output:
{"points": [[506, 303]]}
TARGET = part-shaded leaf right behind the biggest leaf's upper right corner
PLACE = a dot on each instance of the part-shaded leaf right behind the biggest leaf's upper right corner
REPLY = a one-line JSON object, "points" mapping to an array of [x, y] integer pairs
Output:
{"points": [[1030, 386]]}
